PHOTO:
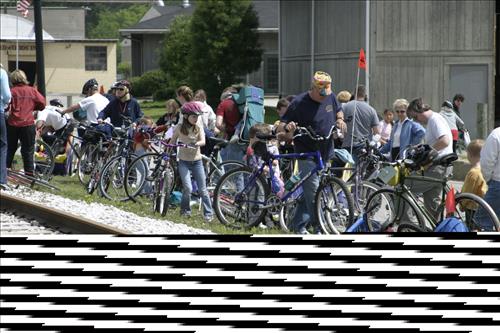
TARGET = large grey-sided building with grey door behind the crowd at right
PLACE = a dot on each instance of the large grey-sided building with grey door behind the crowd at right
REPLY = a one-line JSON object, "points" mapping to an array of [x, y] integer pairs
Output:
{"points": [[432, 49]]}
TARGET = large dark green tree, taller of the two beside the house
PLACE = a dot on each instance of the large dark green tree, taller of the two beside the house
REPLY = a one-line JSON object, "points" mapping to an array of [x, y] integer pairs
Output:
{"points": [[225, 44]]}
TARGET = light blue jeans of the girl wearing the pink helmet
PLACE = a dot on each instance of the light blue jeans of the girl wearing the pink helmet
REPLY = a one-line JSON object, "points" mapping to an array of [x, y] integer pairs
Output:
{"points": [[186, 168]]}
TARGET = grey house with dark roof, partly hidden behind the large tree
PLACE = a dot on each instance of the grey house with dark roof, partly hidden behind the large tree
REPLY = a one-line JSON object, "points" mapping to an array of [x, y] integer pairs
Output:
{"points": [[147, 37]]}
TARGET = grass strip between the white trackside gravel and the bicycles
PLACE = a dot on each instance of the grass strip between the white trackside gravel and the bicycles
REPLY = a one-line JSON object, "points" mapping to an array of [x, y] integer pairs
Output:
{"points": [[71, 188]]}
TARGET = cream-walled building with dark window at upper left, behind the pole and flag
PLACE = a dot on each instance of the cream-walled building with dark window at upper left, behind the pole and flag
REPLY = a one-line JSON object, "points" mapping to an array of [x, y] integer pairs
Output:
{"points": [[70, 58]]}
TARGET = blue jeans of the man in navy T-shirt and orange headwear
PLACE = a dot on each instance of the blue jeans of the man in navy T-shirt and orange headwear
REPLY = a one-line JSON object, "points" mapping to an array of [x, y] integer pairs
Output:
{"points": [[305, 214]]}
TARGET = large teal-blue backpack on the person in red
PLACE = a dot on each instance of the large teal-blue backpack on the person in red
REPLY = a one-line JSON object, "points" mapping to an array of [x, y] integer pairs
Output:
{"points": [[250, 102]]}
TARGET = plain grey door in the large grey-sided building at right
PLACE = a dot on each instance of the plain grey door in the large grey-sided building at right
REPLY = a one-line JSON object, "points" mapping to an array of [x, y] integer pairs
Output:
{"points": [[472, 82]]}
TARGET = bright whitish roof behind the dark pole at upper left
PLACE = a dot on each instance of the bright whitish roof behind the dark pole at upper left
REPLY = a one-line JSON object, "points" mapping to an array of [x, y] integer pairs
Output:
{"points": [[25, 28]]}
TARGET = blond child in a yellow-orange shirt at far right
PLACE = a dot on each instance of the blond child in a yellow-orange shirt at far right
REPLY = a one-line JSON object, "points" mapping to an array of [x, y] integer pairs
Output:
{"points": [[474, 181]]}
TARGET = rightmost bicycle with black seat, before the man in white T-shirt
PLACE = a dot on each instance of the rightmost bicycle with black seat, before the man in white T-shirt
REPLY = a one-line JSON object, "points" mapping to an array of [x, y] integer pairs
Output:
{"points": [[391, 209]]}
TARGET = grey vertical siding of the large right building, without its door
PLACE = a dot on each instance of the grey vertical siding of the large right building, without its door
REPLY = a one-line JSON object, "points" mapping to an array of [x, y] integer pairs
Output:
{"points": [[412, 43]]}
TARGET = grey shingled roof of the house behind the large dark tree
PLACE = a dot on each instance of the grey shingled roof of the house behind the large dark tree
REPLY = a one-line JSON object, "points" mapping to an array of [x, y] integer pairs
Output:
{"points": [[267, 11]]}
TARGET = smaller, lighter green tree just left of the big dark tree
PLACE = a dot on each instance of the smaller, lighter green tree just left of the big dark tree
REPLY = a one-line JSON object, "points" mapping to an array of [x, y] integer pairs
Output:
{"points": [[174, 57]]}
